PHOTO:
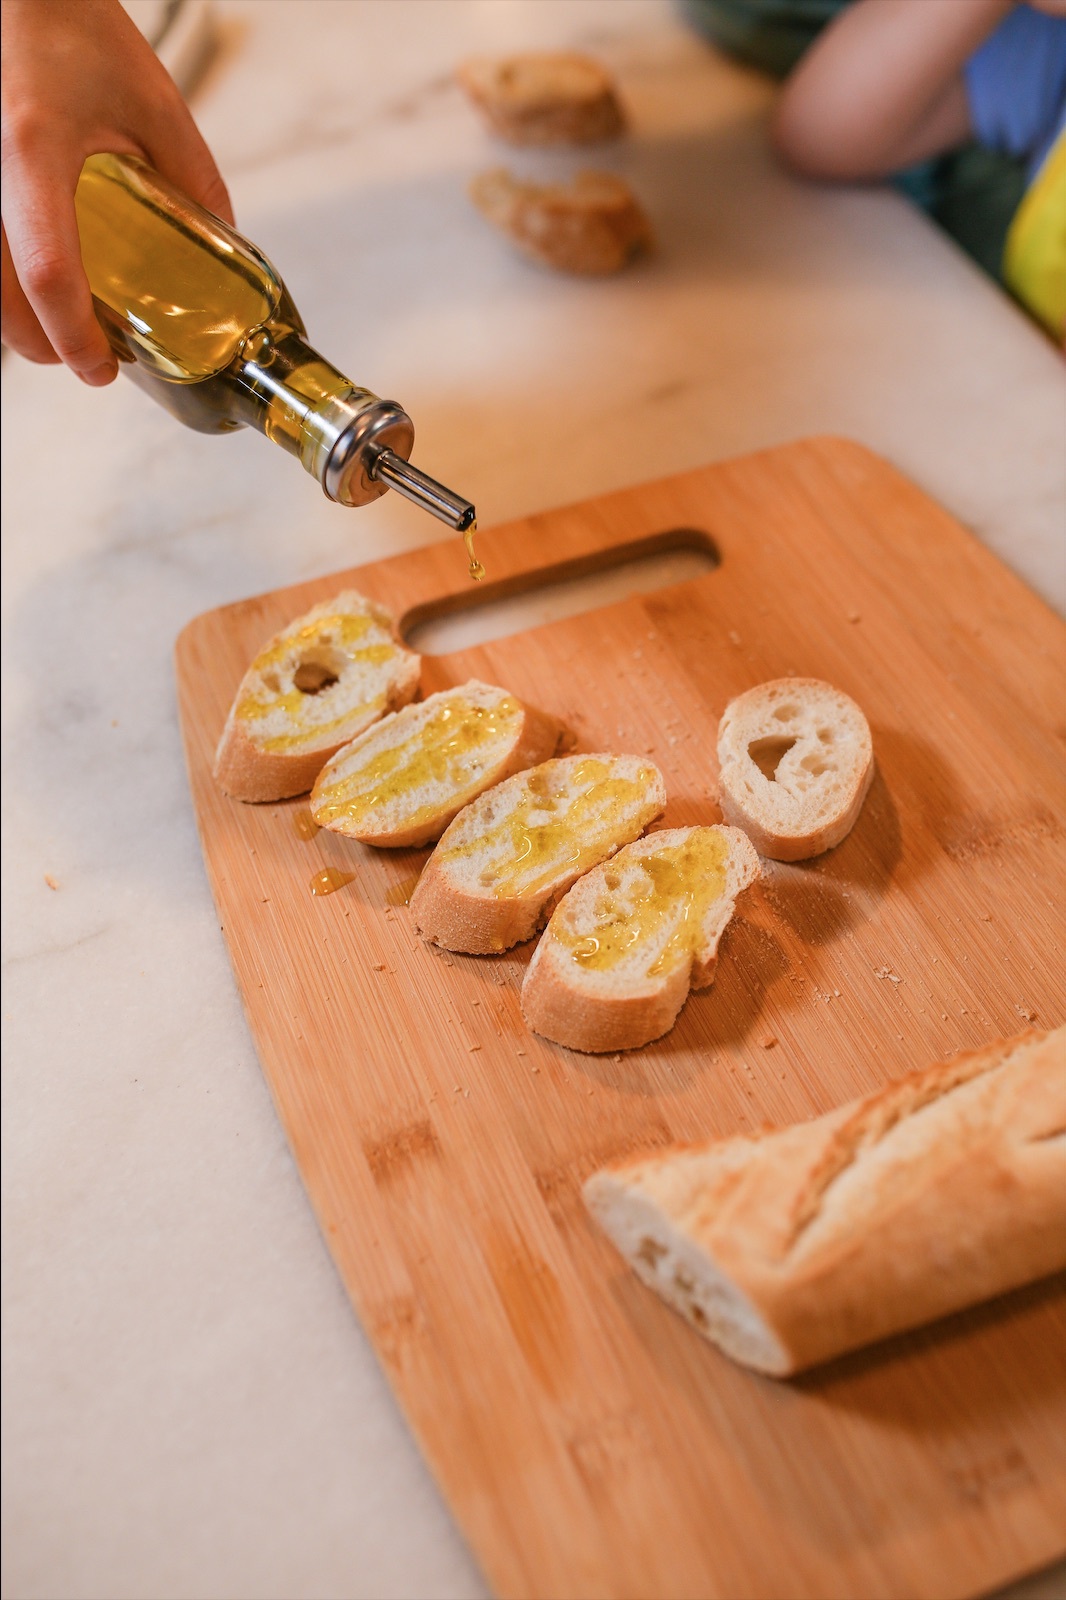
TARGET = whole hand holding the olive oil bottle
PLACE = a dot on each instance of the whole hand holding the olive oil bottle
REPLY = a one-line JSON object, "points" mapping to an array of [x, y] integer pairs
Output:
{"points": [[79, 79]]}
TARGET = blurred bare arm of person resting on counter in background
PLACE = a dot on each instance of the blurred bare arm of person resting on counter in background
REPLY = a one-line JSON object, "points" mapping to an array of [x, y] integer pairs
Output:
{"points": [[883, 87]]}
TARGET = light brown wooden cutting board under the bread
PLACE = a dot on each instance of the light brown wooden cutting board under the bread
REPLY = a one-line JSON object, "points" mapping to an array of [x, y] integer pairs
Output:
{"points": [[588, 1441]]}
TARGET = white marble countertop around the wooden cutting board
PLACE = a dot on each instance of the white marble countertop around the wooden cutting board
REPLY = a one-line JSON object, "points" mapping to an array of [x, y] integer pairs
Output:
{"points": [[190, 1406]]}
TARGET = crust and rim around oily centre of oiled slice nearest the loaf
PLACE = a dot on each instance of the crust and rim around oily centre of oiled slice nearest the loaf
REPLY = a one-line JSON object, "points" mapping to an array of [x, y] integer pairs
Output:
{"points": [[564, 1004]]}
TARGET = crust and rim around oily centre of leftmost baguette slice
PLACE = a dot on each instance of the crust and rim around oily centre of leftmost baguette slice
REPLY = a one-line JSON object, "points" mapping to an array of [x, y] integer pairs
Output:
{"points": [[247, 772]]}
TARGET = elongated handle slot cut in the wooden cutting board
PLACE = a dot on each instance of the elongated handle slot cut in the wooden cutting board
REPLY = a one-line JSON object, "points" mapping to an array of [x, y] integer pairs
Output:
{"points": [[548, 594]]}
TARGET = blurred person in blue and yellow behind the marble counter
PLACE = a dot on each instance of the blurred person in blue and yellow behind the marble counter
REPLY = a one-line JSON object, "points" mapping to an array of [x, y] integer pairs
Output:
{"points": [[961, 102]]}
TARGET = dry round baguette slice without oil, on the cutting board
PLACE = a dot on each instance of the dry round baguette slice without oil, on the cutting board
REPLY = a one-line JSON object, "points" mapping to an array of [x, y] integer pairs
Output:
{"points": [[796, 761]]}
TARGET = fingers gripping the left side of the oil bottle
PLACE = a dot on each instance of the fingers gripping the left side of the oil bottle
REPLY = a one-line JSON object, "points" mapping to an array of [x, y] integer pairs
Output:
{"points": [[46, 257]]}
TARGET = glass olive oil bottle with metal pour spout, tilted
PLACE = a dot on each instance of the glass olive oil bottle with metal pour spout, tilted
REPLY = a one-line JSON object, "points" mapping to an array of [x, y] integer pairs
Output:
{"points": [[201, 321]]}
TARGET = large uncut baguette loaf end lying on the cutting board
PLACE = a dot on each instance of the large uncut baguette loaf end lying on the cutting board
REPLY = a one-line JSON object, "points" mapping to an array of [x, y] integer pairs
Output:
{"points": [[793, 1247]]}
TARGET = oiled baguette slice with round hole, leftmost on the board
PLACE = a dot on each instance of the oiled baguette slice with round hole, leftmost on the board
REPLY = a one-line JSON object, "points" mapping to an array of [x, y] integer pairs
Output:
{"points": [[315, 687]]}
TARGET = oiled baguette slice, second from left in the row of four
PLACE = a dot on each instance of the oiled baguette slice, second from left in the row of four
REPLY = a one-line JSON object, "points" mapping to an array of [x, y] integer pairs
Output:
{"points": [[404, 780]]}
